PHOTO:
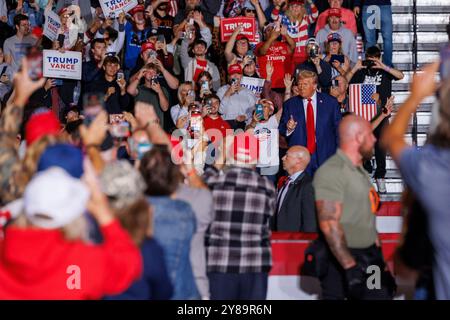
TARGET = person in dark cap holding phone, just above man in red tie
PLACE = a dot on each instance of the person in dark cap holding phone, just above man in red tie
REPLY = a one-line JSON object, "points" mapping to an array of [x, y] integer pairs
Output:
{"points": [[335, 57]]}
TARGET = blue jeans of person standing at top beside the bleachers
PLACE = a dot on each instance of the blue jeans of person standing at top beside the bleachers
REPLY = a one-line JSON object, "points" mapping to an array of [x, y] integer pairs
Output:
{"points": [[370, 30]]}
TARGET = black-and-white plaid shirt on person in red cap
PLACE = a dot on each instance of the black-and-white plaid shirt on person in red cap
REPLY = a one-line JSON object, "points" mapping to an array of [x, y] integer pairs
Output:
{"points": [[238, 239]]}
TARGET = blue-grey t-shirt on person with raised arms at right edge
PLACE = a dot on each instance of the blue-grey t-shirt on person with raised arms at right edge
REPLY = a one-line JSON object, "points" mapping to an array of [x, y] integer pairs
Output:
{"points": [[427, 173]]}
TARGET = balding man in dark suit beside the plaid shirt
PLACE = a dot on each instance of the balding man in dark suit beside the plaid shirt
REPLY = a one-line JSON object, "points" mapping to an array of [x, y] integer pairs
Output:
{"points": [[296, 209]]}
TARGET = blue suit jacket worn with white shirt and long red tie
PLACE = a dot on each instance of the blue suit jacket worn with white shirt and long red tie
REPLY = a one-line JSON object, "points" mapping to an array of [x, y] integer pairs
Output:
{"points": [[328, 116]]}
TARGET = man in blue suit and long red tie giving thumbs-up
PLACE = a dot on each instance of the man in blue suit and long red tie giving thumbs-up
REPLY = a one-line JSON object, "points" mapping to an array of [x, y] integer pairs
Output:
{"points": [[311, 120]]}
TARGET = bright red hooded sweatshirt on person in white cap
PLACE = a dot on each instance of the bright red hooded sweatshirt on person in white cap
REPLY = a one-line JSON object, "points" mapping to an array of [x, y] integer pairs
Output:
{"points": [[42, 264]]}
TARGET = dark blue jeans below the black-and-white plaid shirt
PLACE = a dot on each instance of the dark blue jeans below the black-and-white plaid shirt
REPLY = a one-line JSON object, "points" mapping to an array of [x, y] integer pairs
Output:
{"points": [[238, 286]]}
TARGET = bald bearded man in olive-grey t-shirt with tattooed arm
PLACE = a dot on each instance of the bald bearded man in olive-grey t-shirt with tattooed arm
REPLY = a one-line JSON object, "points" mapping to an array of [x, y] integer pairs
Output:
{"points": [[346, 206]]}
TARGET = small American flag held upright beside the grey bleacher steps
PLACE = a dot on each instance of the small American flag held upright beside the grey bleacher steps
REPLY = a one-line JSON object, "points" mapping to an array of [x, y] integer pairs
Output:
{"points": [[361, 101]]}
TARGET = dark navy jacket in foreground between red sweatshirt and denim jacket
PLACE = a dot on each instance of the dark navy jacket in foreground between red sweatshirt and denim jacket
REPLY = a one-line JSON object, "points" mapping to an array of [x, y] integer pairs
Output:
{"points": [[155, 283]]}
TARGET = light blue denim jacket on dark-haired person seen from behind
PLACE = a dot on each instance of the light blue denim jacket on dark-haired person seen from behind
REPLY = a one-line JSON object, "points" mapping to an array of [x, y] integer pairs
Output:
{"points": [[174, 226]]}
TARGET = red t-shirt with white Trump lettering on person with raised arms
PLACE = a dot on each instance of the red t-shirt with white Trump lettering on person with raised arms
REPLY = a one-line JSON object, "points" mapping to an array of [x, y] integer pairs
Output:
{"points": [[279, 54]]}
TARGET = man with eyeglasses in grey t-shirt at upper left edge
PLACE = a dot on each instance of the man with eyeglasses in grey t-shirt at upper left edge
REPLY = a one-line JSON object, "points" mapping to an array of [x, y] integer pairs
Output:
{"points": [[16, 46]]}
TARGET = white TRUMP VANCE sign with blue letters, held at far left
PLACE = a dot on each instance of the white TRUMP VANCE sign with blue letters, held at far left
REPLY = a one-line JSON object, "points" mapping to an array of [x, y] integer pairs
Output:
{"points": [[65, 65]]}
